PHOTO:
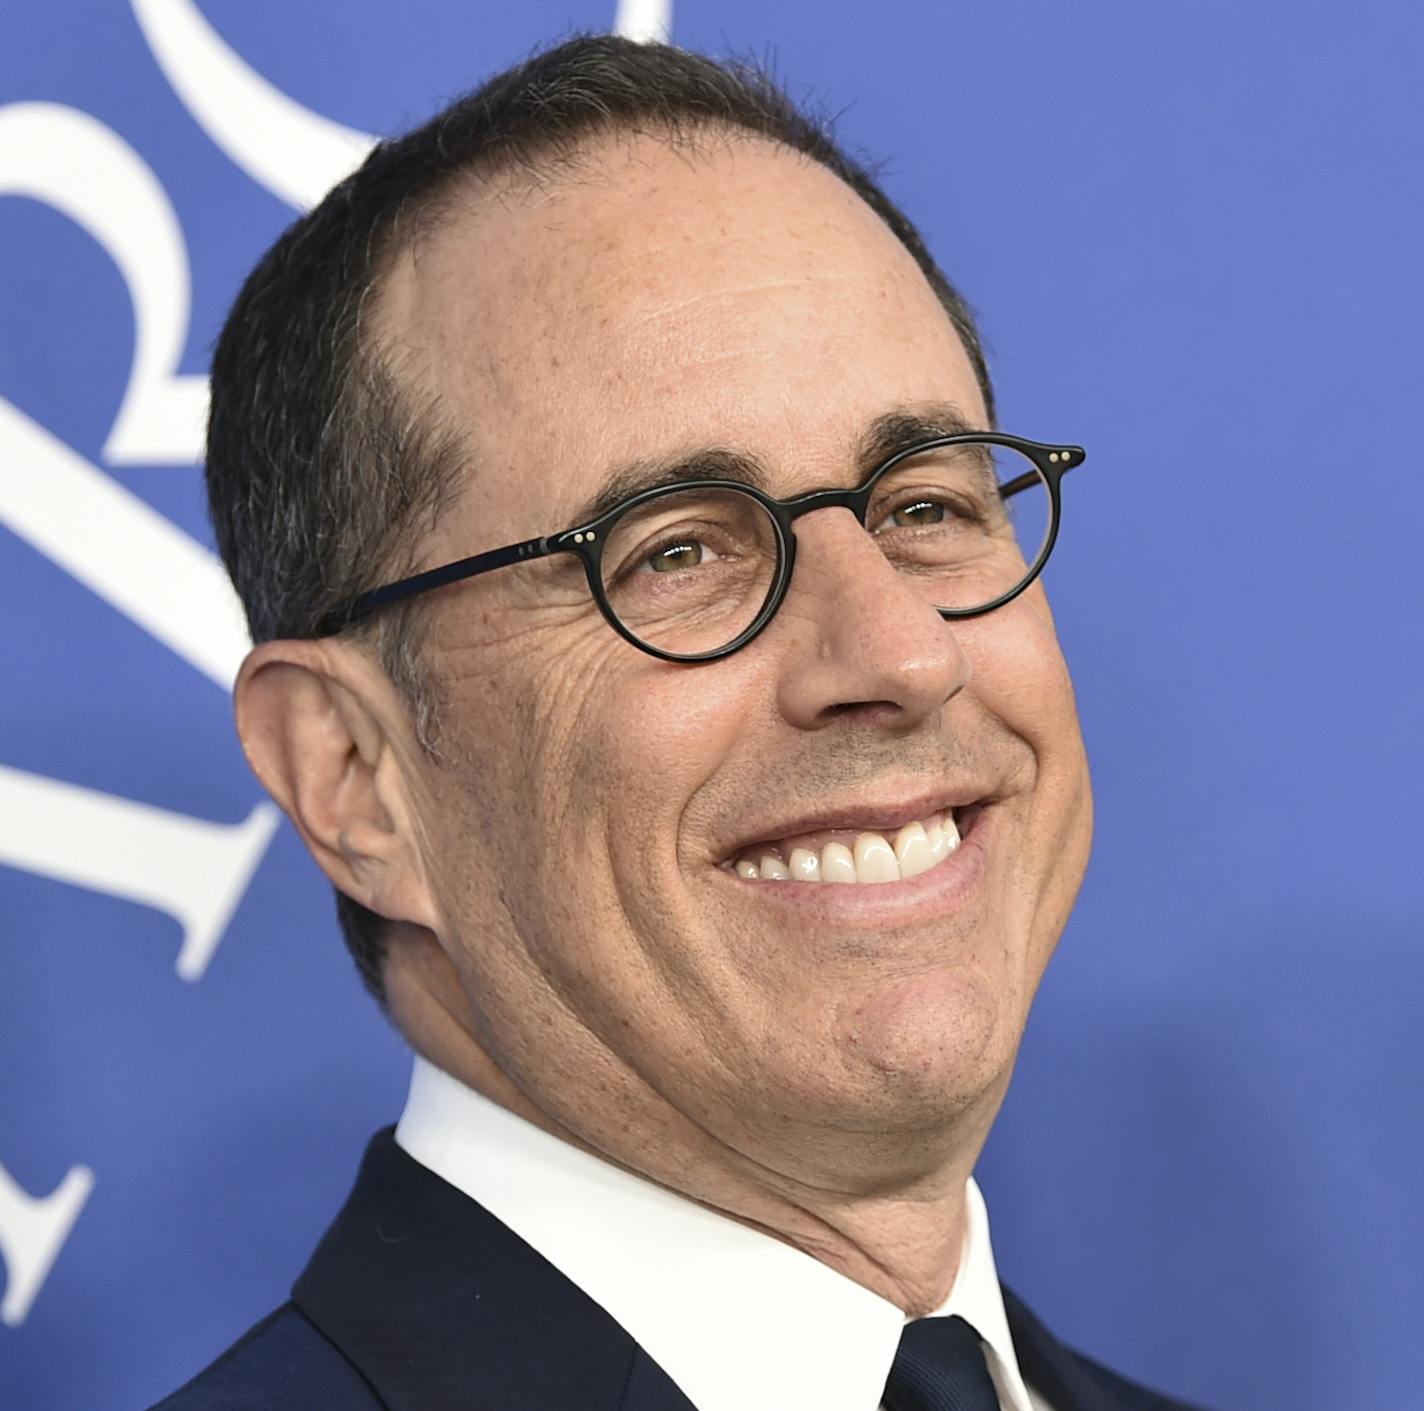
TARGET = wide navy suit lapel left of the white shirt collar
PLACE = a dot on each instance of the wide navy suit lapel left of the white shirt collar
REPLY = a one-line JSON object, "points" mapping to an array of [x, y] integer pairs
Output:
{"points": [[442, 1308]]}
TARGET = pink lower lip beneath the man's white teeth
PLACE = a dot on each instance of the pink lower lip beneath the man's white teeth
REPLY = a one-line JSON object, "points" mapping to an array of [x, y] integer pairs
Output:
{"points": [[946, 888]]}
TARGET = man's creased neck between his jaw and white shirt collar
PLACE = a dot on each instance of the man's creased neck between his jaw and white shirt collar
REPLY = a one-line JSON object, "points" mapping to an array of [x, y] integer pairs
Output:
{"points": [[896, 1235]]}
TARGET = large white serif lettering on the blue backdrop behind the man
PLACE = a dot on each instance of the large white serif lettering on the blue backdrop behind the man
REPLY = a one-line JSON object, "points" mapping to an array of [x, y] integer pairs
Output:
{"points": [[110, 540]]}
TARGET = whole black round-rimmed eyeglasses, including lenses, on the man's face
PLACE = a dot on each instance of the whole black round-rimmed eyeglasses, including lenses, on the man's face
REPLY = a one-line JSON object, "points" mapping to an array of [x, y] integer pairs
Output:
{"points": [[694, 570]]}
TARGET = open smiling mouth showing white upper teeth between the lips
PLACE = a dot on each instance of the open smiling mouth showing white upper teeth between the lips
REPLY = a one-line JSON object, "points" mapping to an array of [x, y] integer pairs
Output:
{"points": [[849, 856]]}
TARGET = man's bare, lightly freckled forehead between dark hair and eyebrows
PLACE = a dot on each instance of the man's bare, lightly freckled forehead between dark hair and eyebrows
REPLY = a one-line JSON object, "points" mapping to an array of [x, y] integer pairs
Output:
{"points": [[661, 300]]}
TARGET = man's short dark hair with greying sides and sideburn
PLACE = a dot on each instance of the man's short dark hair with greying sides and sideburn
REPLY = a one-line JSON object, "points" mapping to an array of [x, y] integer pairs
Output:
{"points": [[324, 472]]}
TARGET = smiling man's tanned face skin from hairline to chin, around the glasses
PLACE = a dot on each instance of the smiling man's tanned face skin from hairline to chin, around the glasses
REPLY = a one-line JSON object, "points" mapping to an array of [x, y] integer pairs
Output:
{"points": [[582, 829]]}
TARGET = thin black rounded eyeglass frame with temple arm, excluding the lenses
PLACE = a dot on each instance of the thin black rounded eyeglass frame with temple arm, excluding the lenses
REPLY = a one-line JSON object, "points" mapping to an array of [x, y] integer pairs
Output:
{"points": [[1052, 461]]}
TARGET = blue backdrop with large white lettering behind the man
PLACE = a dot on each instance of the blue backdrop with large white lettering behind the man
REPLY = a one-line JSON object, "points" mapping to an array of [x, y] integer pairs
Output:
{"points": [[1194, 238]]}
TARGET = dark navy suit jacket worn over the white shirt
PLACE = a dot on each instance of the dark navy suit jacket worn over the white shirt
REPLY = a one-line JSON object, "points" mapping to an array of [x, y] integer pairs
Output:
{"points": [[418, 1299]]}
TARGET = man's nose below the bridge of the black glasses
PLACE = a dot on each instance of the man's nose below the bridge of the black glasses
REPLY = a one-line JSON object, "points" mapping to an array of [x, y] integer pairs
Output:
{"points": [[855, 636]]}
